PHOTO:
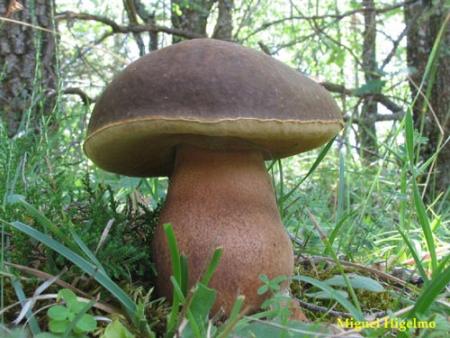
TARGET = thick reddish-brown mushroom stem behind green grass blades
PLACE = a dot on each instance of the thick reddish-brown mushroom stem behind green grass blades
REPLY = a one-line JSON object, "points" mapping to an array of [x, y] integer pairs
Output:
{"points": [[223, 198]]}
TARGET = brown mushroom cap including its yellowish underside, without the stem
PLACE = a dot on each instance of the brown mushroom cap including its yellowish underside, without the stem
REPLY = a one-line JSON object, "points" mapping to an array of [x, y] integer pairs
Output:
{"points": [[206, 93]]}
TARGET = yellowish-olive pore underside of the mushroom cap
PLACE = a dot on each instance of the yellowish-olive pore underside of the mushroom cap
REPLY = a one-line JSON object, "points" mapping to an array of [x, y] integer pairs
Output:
{"points": [[145, 147]]}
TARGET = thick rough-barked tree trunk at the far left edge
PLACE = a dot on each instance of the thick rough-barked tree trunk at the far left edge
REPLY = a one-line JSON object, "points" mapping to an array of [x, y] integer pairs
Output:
{"points": [[27, 58]]}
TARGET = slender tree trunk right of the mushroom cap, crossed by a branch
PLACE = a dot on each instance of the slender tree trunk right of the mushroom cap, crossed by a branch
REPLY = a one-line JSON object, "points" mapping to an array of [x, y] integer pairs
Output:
{"points": [[367, 129]]}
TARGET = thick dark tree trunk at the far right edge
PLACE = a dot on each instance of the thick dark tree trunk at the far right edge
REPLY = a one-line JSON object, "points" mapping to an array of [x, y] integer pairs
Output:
{"points": [[431, 118]]}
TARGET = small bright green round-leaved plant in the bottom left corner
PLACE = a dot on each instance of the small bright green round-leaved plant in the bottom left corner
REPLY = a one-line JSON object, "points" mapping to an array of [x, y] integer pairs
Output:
{"points": [[70, 318]]}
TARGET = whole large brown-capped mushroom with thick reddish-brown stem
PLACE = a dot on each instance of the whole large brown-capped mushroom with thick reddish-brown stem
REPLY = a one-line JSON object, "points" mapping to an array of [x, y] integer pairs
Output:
{"points": [[208, 113]]}
